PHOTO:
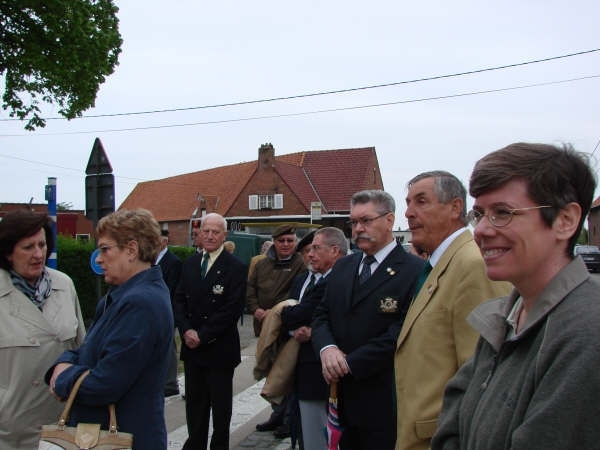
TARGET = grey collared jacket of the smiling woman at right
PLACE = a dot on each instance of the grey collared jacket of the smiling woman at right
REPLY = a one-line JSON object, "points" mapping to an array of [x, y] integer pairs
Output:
{"points": [[539, 389]]}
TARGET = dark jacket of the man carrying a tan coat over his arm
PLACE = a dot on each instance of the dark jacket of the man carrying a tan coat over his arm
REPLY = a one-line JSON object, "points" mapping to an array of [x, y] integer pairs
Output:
{"points": [[309, 381]]}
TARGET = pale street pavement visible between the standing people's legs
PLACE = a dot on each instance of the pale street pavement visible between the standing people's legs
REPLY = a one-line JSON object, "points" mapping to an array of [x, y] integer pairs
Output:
{"points": [[249, 408]]}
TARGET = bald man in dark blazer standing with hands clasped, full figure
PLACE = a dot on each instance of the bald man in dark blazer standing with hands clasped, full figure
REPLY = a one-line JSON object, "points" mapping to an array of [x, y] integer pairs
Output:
{"points": [[208, 302]]}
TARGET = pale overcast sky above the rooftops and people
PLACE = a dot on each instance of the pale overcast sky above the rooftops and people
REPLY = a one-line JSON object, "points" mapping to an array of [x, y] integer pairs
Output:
{"points": [[186, 54]]}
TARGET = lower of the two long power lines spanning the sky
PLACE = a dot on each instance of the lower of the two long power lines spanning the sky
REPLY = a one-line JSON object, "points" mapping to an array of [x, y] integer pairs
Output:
{"points": [[305, 113]]}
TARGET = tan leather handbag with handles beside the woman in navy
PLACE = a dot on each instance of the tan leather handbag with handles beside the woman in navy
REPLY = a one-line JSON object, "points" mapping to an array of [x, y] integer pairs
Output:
{"points": [[85, 436]]}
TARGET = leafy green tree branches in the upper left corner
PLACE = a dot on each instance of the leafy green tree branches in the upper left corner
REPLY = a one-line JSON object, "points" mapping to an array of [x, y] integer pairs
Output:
{"points": [[56, 52]]}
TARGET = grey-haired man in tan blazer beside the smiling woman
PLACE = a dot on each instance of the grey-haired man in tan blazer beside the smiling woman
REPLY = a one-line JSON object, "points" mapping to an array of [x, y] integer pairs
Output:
{"points": [[435, 339]]}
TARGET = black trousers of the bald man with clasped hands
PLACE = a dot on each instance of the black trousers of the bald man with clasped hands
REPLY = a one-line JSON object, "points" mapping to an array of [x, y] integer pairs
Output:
{"points": [[207, 389]]}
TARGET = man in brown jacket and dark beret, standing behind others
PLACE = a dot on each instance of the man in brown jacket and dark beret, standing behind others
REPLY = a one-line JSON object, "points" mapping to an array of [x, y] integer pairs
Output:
{"points": [[268, 284]]}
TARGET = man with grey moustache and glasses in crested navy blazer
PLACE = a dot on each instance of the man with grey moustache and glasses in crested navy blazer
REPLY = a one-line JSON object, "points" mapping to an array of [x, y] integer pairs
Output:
{"points": [[356, 326]]}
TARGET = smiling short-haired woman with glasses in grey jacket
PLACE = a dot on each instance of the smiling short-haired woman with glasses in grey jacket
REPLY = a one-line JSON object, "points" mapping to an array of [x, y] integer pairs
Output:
{"points": [[533, 379]]}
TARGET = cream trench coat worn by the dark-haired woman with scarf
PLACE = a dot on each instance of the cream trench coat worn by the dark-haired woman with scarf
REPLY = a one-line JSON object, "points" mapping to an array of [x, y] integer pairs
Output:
{"points": [[30, 342]]}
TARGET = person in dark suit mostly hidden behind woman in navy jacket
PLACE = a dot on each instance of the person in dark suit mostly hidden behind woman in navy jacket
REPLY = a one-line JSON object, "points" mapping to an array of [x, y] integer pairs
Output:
{"points": [[170, 266]]}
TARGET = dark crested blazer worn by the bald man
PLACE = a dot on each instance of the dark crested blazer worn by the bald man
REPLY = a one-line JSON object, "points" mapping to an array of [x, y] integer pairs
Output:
{"points": [[211, 306]]}
